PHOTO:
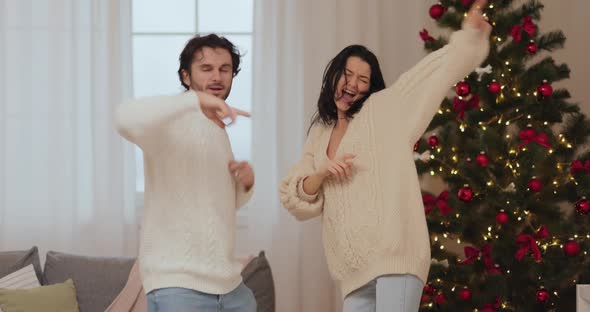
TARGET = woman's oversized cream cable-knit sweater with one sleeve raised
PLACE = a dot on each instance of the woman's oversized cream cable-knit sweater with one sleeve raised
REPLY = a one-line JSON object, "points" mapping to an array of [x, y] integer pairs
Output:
{"points": [[375, 224]]}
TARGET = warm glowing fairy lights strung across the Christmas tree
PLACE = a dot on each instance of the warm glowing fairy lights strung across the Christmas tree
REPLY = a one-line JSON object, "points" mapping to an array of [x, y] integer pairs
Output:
{"points": [[493, 231]]}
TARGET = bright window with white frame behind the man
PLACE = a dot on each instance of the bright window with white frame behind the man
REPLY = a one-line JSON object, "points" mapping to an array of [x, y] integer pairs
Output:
{"points": [[159, 32]]}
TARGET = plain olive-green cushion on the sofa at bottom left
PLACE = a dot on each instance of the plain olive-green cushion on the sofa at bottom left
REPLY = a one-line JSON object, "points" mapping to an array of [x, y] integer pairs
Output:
{"points": [[53, 298]]}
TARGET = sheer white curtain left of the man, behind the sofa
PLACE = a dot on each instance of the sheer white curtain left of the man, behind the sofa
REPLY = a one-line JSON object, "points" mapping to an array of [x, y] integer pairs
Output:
{"points": [[64, 65]]}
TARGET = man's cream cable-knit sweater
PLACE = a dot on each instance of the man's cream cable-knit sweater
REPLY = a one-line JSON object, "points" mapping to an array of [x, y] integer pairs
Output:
{"points": [[188, 227]]}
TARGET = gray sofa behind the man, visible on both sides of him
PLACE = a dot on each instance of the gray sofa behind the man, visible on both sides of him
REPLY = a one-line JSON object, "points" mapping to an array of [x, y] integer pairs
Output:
{"points": [[98, 280]]}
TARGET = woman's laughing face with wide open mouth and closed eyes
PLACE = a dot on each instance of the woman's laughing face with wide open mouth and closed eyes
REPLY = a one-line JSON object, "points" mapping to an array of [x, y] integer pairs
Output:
{"points": [[353, 84]]}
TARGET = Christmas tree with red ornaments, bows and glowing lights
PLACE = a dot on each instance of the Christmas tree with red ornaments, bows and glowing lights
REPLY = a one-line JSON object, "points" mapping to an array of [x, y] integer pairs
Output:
{"points": [[509, 147]]}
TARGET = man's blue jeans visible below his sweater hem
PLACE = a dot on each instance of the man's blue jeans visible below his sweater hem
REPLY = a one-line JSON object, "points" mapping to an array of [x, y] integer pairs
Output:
{"points": [[240, 299]]}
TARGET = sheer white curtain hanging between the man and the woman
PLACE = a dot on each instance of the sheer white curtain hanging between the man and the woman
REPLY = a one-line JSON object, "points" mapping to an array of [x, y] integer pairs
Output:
{"points": [[279, 125]]}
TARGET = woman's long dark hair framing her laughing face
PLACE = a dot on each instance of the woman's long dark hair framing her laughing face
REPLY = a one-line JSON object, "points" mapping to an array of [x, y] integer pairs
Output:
{"points": [[327, 112]]}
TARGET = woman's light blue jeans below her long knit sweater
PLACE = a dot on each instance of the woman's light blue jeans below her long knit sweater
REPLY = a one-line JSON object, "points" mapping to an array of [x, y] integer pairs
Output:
{"points": [[389, 293]]}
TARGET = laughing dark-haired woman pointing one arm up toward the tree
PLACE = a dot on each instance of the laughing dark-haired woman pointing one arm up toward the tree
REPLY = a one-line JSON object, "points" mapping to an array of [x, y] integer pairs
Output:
{"points": [[357, 169]]}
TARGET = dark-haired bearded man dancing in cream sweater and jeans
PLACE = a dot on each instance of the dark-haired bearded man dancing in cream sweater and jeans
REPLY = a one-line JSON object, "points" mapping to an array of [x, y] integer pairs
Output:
{"points": [[193, 186]]}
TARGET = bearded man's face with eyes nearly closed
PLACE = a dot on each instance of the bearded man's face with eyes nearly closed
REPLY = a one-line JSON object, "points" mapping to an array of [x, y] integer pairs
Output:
{"points": [[211, 72]]}
